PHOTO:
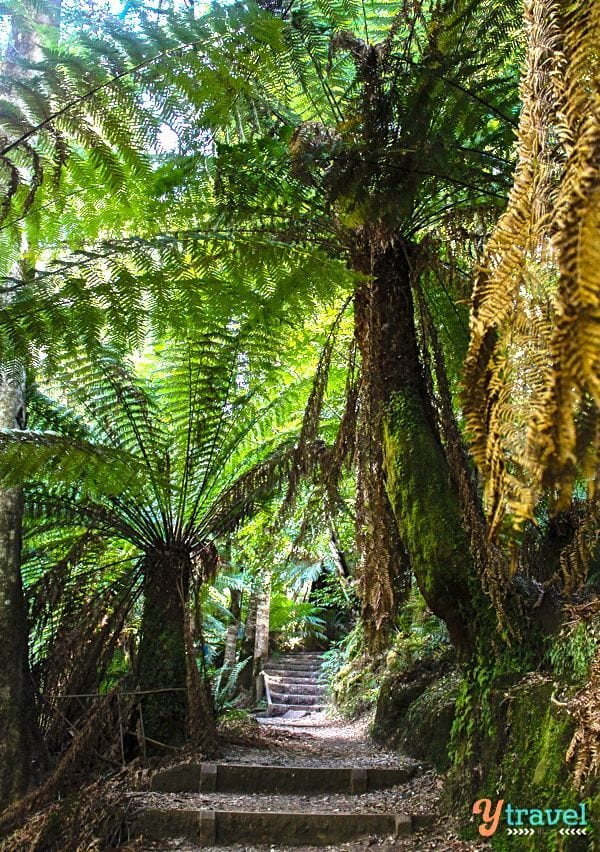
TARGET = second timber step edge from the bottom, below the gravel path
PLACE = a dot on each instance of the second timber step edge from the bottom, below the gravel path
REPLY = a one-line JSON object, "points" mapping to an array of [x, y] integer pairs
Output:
{"points": [[241, 777]]}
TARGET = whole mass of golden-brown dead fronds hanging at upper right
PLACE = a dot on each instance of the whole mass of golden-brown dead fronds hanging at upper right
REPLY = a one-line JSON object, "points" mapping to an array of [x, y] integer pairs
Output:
{"points": [[533, 366]]}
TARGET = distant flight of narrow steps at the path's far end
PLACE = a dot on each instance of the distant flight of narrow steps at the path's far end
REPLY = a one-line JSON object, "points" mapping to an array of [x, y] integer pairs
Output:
{"points": [[292, 685]]}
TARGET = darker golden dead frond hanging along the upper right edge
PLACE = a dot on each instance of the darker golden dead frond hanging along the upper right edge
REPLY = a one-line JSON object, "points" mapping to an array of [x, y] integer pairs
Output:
{"points": [[575, 345]]}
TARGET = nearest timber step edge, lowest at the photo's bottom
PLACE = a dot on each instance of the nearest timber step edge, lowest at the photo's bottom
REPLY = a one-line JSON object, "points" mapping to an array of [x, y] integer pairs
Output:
{"points": [[221, 827]]}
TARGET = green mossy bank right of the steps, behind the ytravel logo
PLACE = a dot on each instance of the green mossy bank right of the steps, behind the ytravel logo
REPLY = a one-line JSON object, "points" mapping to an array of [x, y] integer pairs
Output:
{"points": [[518, 755]]}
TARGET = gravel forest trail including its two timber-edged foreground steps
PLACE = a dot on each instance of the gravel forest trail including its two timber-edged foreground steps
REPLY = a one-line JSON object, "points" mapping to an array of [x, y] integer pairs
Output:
{"points": [[304, 780]]}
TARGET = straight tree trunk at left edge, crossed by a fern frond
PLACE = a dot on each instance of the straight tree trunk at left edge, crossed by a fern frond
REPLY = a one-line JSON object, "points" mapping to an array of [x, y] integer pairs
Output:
{"points": [[21, 750]]}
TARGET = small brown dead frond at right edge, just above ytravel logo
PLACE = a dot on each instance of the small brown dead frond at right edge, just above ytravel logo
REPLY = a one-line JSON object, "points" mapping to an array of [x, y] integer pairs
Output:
{"points": [[584, 750]]}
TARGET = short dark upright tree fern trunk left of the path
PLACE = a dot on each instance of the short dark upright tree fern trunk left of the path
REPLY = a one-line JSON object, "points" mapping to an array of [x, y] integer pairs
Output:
{"points": [[161, 658]]}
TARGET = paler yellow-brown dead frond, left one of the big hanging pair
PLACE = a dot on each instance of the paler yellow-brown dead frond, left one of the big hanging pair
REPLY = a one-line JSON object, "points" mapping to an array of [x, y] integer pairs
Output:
{"points": [[517, 246]]}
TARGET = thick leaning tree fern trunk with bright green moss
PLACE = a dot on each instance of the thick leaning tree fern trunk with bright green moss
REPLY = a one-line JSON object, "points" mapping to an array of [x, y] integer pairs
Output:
{"points": [[418, 482]]}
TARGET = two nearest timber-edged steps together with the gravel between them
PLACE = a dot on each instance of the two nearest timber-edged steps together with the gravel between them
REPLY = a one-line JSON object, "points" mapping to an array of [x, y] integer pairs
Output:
{"points": [[233, 804]]}
